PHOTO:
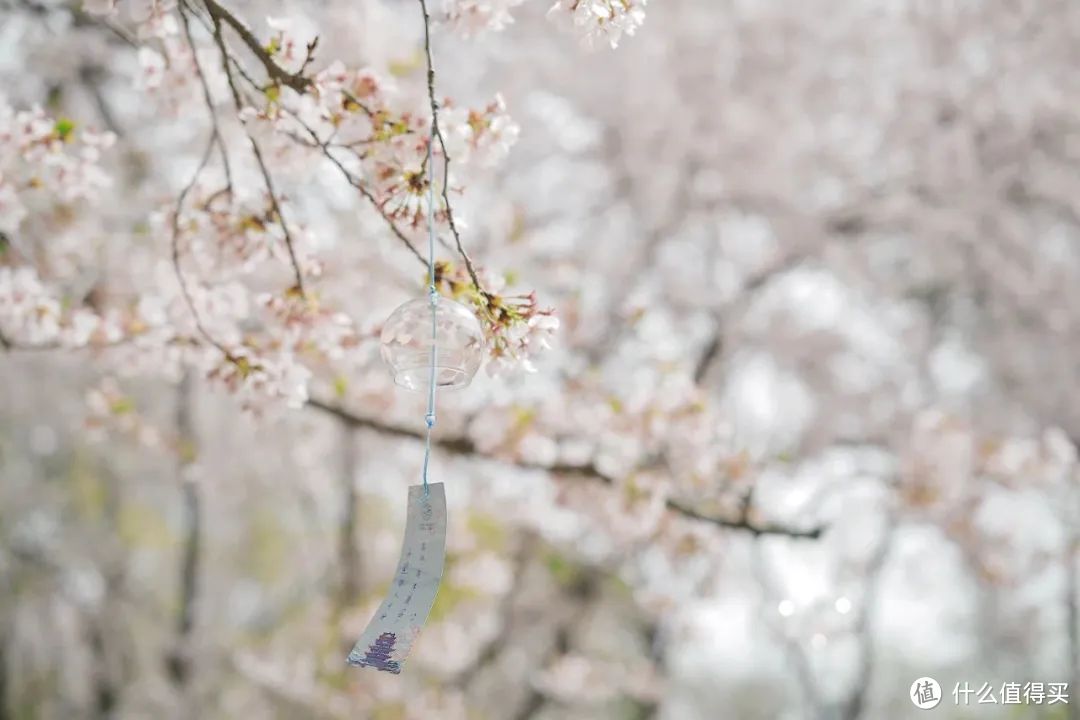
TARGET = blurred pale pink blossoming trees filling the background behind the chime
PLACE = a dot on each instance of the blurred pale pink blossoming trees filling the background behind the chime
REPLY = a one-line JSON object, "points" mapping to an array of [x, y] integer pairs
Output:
{"points": [[807, 432]]}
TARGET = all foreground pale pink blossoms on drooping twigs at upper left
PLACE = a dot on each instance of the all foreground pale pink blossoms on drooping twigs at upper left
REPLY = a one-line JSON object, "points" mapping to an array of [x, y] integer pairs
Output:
{"points": [[211, 305]]}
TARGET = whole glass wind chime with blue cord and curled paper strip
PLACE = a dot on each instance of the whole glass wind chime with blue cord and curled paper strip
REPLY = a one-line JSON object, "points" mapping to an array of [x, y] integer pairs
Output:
{"points": [[428, 343]]}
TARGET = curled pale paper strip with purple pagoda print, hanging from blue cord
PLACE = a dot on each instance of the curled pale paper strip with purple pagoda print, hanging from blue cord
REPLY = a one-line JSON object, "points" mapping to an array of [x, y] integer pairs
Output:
{"points": [[389, 636]]}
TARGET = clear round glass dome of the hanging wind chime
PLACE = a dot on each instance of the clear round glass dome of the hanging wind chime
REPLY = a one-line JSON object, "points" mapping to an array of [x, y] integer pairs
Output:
{"points": [[406, 344]]}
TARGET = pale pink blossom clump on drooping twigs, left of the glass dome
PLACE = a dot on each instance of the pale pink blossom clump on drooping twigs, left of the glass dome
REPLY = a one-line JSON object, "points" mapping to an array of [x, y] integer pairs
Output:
{"points": [[262, 338]]}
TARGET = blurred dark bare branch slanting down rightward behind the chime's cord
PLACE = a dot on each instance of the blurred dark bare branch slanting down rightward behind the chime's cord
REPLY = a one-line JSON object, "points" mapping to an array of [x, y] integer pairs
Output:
{"points": [[464, 446]]}
